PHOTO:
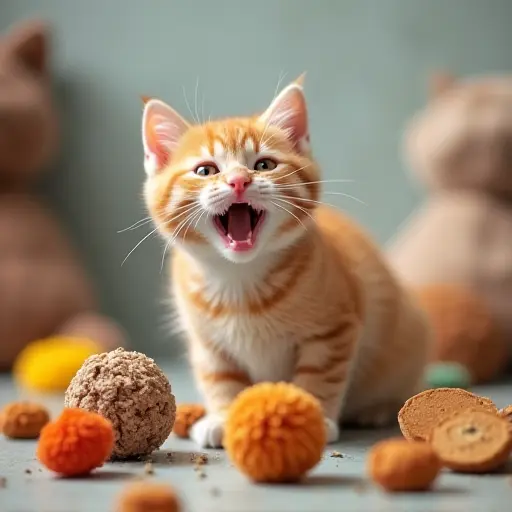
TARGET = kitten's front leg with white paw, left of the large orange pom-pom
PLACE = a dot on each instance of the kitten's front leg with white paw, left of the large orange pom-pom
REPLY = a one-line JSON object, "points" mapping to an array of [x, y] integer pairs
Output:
{"points": [[219, 380]]}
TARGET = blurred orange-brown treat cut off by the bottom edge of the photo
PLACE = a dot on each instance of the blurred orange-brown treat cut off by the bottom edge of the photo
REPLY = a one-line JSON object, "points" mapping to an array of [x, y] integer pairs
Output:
{"points": [[148, 497]]}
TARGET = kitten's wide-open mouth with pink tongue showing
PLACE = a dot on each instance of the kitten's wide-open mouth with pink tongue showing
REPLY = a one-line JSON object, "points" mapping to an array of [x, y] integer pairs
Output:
{"points": [[239, 226]]}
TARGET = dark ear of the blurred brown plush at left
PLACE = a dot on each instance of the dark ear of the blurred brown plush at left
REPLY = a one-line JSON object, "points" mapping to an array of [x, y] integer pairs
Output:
{"points": [[28, 44]]}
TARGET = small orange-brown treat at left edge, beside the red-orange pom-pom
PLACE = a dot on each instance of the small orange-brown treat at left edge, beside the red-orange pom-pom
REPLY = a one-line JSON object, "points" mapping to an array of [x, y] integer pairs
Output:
{"points": [[23, 420]]}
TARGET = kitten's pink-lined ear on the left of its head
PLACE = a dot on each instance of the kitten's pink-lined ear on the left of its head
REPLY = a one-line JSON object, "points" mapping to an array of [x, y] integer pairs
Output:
{"points": [[162, 127]]}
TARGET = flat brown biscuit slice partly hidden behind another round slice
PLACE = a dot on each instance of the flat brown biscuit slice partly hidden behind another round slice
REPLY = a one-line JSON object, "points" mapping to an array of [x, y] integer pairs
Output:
{"points": [[421, 413]]}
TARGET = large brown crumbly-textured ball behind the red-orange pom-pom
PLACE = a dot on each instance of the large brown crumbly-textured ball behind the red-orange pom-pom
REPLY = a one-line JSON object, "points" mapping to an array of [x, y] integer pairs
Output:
{"points": [[130, 390]]}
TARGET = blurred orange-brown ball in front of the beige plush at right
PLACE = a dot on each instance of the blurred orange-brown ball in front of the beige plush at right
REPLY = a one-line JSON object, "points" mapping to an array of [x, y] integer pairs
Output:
{"points": [[465, 331]]}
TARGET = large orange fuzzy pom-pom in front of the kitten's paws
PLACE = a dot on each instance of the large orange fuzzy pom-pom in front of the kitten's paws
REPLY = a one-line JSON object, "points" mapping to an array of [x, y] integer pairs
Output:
{"points": [[275, 432]]}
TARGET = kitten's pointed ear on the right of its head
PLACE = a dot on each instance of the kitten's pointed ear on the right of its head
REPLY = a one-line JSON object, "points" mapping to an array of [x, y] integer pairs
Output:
{"points": [[289, 112]]}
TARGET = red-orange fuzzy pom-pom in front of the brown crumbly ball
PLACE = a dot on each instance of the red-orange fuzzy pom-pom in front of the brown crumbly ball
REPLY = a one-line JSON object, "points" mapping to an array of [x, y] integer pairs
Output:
{"points": [[76, 443]]}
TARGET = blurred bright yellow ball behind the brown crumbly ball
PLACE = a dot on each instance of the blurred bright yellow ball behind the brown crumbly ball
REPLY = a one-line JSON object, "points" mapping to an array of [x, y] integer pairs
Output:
{"points": [[48, 365]]}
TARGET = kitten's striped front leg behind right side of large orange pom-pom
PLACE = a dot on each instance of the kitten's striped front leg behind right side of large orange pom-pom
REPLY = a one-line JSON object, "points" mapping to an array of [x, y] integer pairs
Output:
{"points": [[322, 369]]}
